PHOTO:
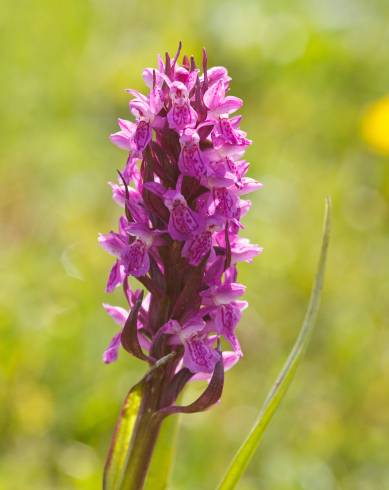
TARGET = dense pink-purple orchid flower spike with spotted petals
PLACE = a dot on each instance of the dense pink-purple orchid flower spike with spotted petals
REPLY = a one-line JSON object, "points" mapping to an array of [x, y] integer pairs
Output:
{"points": [[181, 192]]}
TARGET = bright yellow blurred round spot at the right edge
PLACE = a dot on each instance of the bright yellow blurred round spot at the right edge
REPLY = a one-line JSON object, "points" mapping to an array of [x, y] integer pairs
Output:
{"points": [[375, 126]]}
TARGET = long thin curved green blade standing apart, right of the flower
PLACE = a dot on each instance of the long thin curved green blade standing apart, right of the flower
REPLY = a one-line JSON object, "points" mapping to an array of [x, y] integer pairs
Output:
{"points": [[276, 394]]}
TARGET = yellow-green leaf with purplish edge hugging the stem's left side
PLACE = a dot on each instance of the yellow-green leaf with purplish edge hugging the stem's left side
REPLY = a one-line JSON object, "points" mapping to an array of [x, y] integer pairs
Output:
{"points": [[118, 452]]}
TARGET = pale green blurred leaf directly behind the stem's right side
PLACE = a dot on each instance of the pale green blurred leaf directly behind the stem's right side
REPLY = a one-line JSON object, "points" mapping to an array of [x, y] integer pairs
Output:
{"points": [[162, 461]]}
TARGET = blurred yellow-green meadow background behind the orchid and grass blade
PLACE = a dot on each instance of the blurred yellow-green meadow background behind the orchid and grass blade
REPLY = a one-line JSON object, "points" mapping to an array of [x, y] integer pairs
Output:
{"points": [[315, 79]]}
